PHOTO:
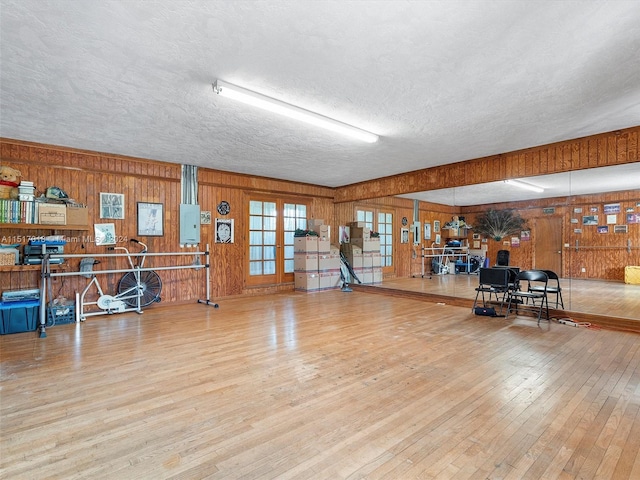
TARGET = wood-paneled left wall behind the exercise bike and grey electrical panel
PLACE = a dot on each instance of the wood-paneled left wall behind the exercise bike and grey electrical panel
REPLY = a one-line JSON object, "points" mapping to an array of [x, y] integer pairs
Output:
{"points": [[84, 175]]}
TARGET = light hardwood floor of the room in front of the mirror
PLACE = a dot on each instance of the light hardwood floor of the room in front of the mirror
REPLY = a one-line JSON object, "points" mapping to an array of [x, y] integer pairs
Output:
{"points": [[329, 385]]}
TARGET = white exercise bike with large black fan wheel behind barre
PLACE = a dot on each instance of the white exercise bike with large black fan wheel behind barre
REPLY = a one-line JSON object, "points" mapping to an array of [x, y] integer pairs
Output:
{"points": [[136, 289]]}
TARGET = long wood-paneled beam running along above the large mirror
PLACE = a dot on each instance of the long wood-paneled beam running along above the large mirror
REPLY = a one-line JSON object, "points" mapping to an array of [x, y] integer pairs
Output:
{"points": [[612, 148]]}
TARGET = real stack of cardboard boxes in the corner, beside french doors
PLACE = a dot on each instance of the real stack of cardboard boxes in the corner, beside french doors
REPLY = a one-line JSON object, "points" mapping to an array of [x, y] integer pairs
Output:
{"points": [[316, 262]]}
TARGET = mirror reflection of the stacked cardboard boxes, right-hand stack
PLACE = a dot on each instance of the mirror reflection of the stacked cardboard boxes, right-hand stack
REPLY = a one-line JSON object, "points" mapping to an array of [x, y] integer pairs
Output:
{"points": [[363, 254]]}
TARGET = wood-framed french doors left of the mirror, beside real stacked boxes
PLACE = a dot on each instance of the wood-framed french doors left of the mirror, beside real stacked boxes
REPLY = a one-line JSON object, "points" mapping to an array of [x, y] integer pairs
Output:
{"points": [[272, 225]]}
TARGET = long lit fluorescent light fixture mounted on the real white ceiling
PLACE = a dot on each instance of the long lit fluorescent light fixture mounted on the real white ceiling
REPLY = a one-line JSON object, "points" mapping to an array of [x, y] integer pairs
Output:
{"points": [[267, 103]]}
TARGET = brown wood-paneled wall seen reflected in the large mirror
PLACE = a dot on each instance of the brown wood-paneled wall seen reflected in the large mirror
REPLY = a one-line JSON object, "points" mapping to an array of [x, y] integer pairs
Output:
{"points": [[604, 256]]}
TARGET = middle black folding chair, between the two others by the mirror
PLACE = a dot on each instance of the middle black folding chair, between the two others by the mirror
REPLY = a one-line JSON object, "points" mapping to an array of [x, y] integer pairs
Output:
{"points": [[530, 286]]}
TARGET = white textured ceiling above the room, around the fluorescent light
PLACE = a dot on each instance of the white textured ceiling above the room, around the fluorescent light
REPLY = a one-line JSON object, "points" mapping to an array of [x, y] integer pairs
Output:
{"points": [[440, 81]]}
